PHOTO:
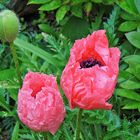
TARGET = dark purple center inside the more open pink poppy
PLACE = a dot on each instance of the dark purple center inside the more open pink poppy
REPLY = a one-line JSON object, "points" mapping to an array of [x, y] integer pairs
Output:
{"points": [[90, 63]]}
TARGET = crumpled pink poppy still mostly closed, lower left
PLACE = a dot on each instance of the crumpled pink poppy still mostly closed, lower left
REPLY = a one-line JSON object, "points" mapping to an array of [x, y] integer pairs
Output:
{"points": [[40, 105]]}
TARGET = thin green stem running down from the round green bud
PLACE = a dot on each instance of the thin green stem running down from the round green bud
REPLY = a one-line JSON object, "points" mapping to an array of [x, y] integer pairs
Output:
{"points": [[13, 50]]}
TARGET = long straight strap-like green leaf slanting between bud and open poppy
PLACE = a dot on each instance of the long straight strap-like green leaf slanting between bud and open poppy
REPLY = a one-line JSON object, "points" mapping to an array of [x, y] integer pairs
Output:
{"points": [[37, 51]]}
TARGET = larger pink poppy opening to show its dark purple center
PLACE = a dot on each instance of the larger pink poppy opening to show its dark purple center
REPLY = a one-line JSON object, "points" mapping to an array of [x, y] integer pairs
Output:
{"points": [[89, 78]]}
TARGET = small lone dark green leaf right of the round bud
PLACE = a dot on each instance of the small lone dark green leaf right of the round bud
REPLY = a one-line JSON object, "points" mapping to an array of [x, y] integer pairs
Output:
{"points": [[47, 29]]}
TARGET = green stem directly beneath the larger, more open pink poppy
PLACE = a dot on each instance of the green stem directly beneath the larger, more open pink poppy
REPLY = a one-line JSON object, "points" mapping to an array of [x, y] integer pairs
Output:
{"points": [[78, 124]]}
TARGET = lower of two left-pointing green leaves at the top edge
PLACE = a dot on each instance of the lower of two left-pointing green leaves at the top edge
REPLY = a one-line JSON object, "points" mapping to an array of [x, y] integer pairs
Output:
{"points": [[54, 4]]}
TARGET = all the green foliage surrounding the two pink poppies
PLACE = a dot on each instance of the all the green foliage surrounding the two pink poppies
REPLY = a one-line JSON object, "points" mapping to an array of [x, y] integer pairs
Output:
{"points": [[45, 47]]}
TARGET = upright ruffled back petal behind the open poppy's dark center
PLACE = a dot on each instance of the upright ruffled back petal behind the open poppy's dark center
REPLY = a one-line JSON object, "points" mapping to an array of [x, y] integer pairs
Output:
{"points": [[93, 46]]}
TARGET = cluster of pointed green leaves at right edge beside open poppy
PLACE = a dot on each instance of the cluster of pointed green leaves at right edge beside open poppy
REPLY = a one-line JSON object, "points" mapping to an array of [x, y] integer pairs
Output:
{"points": [[130, 84]]}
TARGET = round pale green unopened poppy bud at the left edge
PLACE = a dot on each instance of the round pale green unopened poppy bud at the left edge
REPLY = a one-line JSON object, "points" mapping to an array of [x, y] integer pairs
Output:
{"points": [[9, 26]]}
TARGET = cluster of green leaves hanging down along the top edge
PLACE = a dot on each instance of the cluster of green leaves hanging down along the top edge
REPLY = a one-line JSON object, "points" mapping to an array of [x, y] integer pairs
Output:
{"points": [[76, 7]]}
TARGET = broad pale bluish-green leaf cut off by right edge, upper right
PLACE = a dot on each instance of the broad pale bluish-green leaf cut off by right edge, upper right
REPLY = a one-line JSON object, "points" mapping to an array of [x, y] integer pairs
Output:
{"points": [[134, 38]]}
